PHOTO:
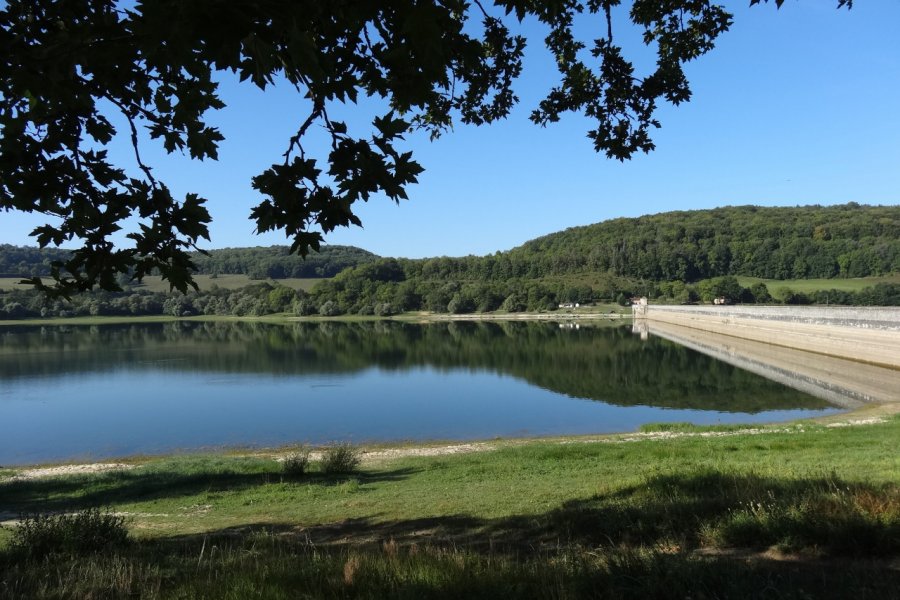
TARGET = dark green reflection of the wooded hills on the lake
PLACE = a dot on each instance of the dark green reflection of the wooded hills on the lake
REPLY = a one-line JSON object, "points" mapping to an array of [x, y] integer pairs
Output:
{"points": [[597, 363]]}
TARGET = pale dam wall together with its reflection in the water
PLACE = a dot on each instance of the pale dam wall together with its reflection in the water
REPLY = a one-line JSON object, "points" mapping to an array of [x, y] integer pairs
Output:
{"points": [[847, 356]]}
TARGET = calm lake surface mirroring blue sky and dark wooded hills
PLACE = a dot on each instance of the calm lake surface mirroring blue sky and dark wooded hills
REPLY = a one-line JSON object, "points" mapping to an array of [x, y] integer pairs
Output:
{"points": [[80, 393]]}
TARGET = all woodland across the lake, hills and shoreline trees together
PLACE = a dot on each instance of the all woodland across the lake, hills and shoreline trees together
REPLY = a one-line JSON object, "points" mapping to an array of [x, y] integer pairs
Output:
{"points": [[670, 257]]}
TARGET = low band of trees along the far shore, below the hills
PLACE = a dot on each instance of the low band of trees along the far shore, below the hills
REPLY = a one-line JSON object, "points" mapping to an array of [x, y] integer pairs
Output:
{"points": [[354, 296]]}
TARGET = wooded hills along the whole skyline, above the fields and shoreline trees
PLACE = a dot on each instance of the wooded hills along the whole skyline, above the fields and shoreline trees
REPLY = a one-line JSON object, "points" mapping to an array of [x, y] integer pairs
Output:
{"points": [[769, 242]]}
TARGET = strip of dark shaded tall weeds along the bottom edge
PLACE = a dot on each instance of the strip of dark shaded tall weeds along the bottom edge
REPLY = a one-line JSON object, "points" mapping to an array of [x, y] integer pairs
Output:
{"points": [[273, 566]]}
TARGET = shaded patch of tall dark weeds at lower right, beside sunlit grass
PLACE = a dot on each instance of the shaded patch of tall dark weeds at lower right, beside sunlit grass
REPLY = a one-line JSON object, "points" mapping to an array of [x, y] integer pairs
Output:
{"points": [[824, 515]]}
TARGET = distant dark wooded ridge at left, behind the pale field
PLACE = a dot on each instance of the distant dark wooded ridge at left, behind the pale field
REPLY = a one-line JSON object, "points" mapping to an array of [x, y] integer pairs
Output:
{"points": [[259, 262]]}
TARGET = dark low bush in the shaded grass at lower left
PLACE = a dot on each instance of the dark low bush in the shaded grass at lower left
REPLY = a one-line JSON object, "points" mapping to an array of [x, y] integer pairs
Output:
{"points": [[86, 531]]}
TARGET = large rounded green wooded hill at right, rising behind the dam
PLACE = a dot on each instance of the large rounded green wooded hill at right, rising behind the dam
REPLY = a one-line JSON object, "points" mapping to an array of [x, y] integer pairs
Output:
{"points": [[850, 240]]}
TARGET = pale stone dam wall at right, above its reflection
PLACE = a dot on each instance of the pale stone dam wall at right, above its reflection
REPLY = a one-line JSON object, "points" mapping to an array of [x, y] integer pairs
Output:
{"points": [[864, 334]]}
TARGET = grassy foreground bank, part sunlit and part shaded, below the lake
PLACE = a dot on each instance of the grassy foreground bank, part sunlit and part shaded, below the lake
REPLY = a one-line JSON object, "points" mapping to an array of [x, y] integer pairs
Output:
{"points": [[794, 512]]}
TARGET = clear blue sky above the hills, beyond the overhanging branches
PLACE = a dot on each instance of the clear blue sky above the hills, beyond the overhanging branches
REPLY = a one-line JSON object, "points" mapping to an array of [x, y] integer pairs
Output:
{"points": [[794, 106]]}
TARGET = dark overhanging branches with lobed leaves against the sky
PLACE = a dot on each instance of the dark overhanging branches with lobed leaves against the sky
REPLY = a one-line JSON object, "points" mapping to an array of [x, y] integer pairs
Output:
{"points": [[73, 68]]}
